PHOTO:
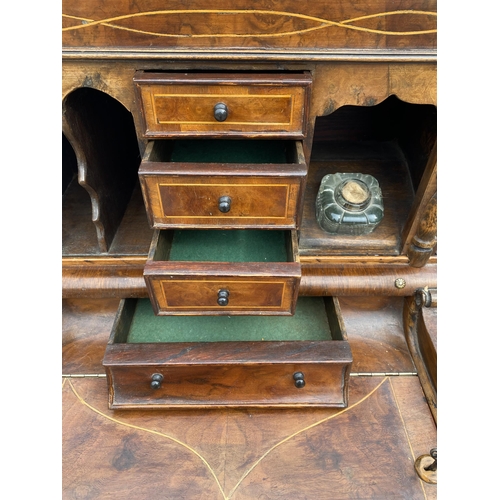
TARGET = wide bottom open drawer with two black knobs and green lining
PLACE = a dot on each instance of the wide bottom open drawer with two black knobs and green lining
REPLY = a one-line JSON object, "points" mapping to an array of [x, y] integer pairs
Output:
{"points": [[182, 361]]}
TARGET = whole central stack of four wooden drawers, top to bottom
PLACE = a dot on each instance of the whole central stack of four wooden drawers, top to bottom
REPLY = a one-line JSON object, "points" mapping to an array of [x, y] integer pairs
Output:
{"points": [[223, 180]]}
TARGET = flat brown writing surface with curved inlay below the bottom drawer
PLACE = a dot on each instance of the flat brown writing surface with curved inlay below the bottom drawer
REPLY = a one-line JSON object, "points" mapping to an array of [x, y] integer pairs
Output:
{"points": [[365, 451]]}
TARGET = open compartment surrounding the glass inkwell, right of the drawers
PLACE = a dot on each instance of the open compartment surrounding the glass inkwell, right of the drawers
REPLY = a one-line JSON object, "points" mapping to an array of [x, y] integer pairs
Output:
{"points": [[393, 142]]}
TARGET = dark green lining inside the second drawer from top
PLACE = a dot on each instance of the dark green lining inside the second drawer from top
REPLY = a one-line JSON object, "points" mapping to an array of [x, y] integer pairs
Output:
{"points": [[229, 151]]}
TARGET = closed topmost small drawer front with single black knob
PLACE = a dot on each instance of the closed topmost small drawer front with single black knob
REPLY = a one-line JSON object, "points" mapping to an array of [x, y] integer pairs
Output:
{"points": [[175, 105]]}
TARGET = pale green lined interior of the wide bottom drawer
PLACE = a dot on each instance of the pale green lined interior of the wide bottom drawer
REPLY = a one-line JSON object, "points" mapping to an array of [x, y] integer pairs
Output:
{"points": [[310, 322]]}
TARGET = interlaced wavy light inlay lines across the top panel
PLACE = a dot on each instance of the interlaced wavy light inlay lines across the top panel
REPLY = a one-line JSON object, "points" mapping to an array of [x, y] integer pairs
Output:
{"points": [[321, 23]]}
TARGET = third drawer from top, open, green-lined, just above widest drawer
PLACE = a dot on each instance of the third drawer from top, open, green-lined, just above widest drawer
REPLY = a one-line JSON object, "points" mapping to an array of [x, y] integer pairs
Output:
{"points": [[221, 272]]}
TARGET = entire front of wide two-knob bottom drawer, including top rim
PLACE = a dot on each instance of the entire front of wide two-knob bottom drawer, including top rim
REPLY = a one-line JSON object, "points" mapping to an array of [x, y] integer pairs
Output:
{"points": [[286, 373]]}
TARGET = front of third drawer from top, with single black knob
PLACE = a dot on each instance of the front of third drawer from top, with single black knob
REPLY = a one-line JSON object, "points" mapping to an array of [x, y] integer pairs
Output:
{"points": [[222, 288]]}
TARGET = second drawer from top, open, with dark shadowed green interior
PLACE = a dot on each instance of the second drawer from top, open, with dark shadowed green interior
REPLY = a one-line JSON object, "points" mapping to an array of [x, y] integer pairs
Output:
{"points": [[223, 183]]}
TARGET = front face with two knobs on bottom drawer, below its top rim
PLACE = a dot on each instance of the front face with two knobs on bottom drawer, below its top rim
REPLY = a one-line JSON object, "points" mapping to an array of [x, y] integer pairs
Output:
{"points": [[226, 385]]}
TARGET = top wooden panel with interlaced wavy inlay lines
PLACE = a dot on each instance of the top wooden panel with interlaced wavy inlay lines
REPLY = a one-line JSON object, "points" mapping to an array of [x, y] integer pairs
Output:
{"points": [[234, 24]]}
